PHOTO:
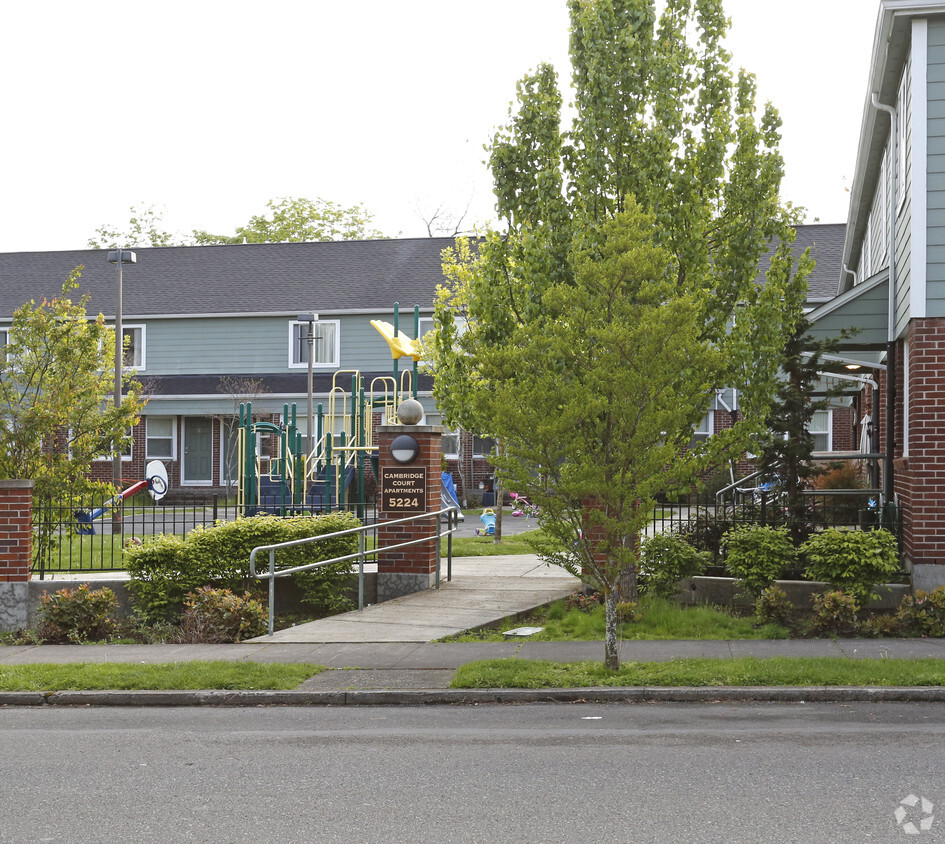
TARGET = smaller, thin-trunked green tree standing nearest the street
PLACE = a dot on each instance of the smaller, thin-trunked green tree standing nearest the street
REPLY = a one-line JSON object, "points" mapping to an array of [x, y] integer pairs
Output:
{"points": [[595, 405]]}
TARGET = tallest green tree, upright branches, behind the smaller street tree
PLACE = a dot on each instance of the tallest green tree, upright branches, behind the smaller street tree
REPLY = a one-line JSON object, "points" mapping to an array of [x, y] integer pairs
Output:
{"points": [[660, 120]]}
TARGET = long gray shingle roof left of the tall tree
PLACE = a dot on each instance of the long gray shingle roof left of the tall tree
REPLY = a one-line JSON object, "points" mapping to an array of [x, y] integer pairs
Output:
{"points": [[252, 278]]}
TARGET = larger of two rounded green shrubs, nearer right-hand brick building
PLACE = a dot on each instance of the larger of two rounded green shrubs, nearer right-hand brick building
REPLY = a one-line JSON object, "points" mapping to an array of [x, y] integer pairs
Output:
{"points": [[853, 561]]}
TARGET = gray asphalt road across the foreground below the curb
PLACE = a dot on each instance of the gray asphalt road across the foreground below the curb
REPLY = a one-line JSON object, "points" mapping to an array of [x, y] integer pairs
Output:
{"points": [[539, 773]]}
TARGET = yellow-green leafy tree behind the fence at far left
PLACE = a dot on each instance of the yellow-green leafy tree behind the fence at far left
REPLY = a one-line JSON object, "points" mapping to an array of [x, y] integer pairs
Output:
{"points": [[56, 388]]}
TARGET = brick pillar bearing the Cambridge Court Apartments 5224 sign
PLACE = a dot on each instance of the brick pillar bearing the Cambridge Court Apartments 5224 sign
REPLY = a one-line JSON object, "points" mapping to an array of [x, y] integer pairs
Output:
{"points": [[410, 569]]}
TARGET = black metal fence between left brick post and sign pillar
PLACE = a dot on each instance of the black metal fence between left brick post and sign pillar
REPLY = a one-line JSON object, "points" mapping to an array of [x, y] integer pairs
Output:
{"points": [[88, 535]]}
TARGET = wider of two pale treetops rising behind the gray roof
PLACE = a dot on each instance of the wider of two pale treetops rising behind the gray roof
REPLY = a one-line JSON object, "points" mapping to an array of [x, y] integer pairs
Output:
{"points": [[299, 221]]}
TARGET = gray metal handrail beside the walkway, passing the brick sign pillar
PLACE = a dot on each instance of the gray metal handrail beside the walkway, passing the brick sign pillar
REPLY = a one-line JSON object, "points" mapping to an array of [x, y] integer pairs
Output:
{"points": [[359, 555]]}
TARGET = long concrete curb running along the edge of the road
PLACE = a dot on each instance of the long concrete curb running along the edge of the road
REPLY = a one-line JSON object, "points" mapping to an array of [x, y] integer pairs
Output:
{"points": [[475, 697]]}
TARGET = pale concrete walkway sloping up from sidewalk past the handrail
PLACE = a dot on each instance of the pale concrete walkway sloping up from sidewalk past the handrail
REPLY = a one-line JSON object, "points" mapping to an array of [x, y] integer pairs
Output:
{"points": [[483, 591]]}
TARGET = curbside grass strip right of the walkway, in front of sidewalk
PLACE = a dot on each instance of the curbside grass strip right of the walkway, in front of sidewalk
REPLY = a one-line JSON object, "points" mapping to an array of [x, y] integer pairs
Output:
{"points": [[743, 671]]}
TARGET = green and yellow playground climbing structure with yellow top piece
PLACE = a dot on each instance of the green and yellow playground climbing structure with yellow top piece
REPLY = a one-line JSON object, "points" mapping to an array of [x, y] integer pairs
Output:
{"points": [[318, 475]]}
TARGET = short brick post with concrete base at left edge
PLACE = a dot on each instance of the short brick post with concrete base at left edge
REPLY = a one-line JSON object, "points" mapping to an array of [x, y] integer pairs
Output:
{"points": [[16, 552]]}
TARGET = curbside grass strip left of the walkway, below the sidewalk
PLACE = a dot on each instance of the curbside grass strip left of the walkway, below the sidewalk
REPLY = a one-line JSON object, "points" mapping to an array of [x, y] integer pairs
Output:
{"points": [[169, 676]]}
